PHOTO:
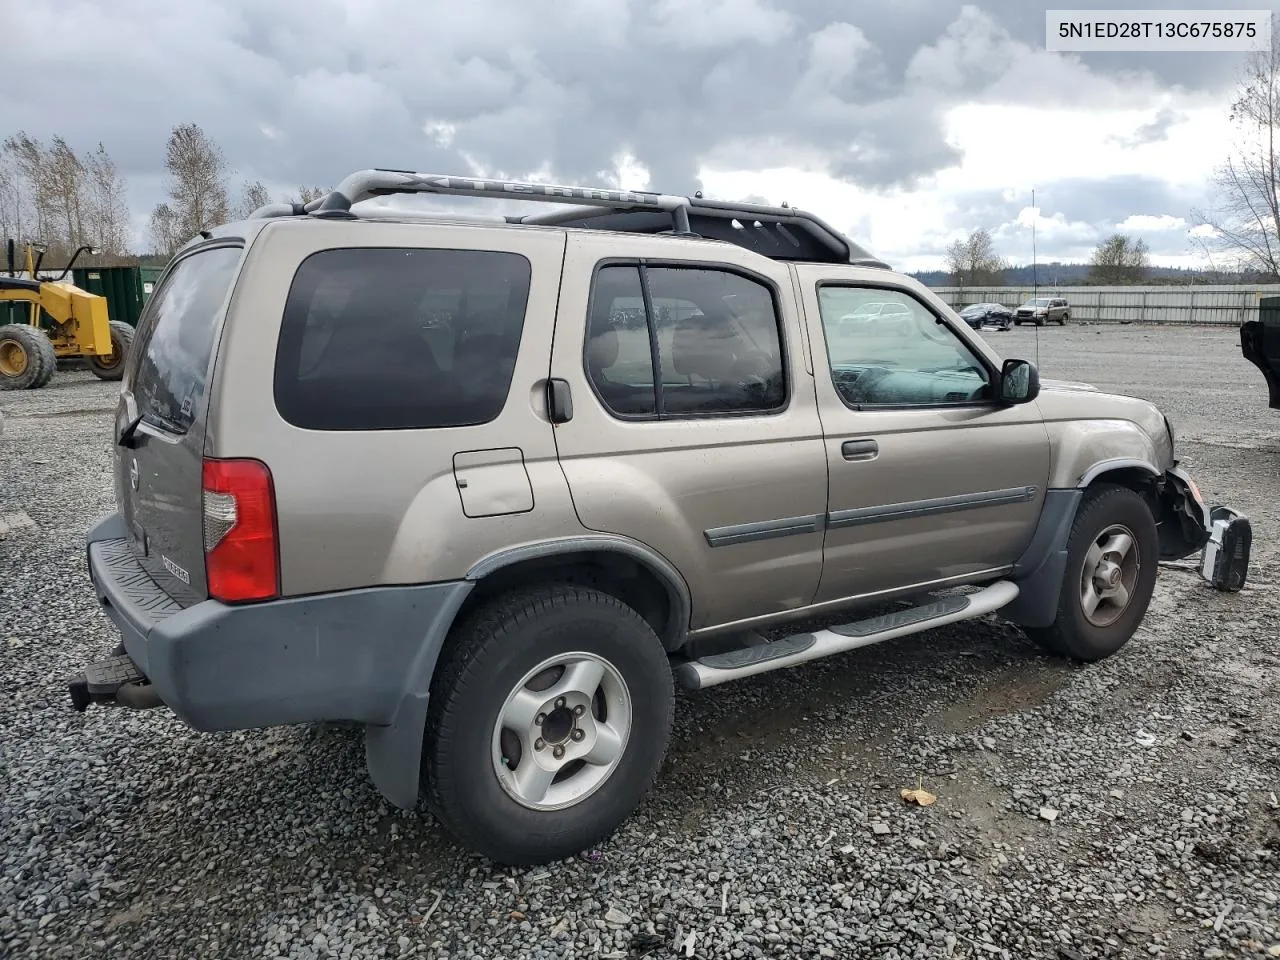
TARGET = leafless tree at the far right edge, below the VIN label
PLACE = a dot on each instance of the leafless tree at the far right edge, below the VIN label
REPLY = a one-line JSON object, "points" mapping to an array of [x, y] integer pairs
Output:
{"points": [[1246, 220]]}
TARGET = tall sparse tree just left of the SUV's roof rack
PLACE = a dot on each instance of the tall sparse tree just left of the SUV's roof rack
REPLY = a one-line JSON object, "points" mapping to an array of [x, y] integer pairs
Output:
{"points": [[198, 189]]}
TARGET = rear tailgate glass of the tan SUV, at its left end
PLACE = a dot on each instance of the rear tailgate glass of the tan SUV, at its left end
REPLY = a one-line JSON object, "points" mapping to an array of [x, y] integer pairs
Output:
{"points": [[173, 368]]}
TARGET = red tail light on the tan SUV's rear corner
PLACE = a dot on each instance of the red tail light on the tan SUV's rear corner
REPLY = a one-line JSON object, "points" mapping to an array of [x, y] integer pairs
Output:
{"points": [[241, 556]]}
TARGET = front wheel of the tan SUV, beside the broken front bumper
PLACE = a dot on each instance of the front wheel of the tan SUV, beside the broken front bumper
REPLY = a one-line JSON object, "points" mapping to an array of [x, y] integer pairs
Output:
{"points": [[1109, 515]]}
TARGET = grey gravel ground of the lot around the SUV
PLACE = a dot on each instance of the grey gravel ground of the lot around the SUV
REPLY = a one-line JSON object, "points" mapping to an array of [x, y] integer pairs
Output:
{"points": [[1122, 810]]}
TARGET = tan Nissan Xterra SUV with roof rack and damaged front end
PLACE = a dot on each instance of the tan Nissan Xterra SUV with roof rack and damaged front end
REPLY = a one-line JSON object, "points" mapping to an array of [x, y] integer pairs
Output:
{"points": [[488, 488]]}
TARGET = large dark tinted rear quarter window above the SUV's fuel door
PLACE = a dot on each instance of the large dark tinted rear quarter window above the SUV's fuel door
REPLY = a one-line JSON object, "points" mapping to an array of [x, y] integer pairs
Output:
{"points": [[399, 340]]}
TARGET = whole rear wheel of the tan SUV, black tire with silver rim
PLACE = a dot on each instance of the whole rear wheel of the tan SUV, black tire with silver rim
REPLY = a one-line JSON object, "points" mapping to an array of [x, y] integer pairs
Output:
{"points": [[548, 721]]}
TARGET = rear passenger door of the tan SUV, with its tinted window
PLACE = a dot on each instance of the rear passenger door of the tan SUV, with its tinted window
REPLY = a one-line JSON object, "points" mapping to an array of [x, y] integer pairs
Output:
{"points": [[696, 428]]}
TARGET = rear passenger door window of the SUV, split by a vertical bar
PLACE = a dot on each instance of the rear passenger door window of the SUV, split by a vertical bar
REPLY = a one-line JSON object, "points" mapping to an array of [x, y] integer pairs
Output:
{"points": [[676, 341]]}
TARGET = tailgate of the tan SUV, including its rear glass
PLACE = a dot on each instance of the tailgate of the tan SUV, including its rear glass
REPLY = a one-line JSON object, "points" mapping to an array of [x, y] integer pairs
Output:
{"points": [[164, 399]]}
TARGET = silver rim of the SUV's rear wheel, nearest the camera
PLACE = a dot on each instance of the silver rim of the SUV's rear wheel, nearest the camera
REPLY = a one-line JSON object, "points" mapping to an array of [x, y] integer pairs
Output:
{"points": [[563, 732]]}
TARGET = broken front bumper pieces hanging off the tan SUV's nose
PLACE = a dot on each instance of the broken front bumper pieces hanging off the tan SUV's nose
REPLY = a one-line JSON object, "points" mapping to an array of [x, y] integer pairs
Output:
{"points": [[1187, 527]]}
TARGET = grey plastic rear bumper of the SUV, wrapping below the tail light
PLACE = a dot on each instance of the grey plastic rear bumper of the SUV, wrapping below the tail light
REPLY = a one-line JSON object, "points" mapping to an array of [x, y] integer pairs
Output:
{"points": [[353, 656]]}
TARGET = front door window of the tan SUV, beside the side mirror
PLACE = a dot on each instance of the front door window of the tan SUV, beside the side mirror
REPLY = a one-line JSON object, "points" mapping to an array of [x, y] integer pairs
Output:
{"points": [[903, 356]]}
